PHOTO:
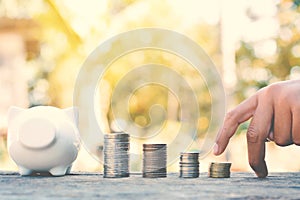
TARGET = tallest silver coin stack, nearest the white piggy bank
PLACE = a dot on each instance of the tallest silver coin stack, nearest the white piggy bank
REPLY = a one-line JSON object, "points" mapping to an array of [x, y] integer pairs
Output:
{"points": [[116, 155]]}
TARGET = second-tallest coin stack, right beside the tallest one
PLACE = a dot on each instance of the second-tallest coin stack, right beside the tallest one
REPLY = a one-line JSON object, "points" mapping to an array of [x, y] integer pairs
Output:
{"points": [[154, 160]]}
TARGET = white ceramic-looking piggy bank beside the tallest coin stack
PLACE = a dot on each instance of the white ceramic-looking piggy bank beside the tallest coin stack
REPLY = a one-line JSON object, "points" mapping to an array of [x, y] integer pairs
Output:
{"points": [[43, 139]]}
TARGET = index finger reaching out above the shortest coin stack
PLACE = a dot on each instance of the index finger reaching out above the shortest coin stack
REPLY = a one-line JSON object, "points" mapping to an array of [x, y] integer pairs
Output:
{"points": [[233, 119]]}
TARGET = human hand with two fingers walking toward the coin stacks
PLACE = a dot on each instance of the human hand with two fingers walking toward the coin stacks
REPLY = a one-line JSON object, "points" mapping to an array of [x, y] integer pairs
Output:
{"points": [[275, 112]]}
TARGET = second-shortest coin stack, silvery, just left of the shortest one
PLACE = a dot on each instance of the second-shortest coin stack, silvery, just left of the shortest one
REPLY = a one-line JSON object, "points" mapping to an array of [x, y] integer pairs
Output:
{"points": [[189, 165]]}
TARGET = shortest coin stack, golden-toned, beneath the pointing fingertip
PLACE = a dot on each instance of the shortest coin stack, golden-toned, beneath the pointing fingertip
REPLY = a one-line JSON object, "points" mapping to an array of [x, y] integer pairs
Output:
{"points": [[219, 170]]}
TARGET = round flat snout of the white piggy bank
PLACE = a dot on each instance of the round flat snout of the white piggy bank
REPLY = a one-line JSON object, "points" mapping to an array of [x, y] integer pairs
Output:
{"points": [[37, 133]]}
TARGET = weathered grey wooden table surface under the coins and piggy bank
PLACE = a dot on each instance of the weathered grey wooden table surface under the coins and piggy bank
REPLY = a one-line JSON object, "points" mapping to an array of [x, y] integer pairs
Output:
{"points": [[94, 186]]}
